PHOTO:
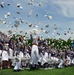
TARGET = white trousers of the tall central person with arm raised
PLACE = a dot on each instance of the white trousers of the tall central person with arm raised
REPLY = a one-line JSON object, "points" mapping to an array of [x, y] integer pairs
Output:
{"points": [[34, 55]]}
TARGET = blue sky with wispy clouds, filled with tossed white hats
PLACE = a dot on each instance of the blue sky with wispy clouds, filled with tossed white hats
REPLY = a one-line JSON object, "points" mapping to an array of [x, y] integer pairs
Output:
{"points": [[45, 18]]}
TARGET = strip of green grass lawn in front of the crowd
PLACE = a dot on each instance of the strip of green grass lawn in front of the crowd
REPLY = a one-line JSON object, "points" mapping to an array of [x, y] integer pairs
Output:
{"points": [[64, 71]]}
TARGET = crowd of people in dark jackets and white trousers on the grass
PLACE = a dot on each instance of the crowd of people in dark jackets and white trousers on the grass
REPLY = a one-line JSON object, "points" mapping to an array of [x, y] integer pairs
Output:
{"points": [[20, 55]]}
